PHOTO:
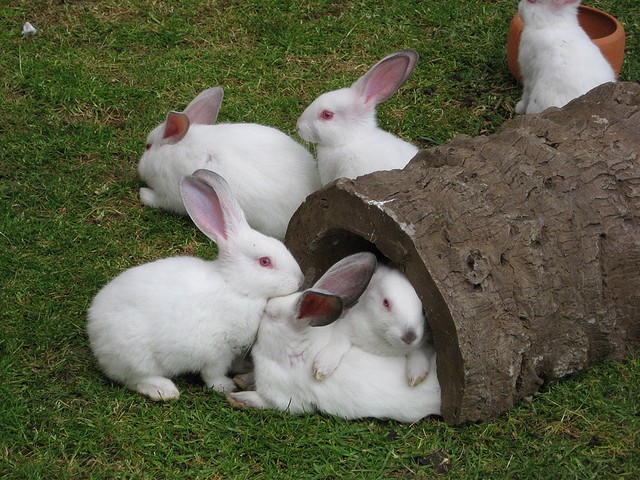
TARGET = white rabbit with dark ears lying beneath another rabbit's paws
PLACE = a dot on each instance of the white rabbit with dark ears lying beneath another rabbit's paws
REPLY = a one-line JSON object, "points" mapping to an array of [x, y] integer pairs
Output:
{"points": [[364, 385]]}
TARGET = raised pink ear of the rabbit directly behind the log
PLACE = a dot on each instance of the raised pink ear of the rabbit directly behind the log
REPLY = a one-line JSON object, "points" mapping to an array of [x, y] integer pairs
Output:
{"points": [[386, 76]]}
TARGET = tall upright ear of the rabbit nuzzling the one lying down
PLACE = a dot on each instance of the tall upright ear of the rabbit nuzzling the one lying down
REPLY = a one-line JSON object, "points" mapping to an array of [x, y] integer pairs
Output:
{"points": [[211, 205]]}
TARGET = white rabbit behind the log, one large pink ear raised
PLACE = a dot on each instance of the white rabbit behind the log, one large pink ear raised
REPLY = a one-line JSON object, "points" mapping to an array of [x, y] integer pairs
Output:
{"points": [[343, 123]]}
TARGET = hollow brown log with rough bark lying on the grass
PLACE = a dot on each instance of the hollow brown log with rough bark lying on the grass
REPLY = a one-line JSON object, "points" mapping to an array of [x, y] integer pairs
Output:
{"points": [[524, 246]]}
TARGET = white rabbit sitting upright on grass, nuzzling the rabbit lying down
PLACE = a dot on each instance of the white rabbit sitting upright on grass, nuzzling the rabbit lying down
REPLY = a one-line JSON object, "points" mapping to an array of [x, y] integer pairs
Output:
{"points": [[184, 314]]}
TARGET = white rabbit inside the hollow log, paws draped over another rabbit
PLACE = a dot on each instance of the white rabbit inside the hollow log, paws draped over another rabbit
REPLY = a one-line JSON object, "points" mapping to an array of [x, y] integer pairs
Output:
{"points": [[387, 320]]}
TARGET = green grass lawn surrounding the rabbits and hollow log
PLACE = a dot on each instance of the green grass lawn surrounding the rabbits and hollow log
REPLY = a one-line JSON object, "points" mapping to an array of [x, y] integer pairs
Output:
{"points": [[77, 102]]}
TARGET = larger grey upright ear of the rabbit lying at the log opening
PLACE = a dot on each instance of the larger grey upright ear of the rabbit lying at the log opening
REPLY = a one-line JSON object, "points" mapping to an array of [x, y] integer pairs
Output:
{"points": [[349, 277]]}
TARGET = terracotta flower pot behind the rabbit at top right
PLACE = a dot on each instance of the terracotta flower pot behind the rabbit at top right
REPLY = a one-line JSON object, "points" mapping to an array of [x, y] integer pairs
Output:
{"points": [[603, 29]]}
